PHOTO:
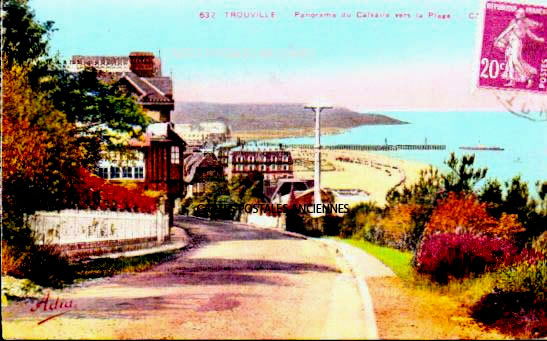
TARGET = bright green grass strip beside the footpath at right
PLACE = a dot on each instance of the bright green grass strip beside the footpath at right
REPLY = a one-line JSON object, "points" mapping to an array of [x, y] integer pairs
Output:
{"points": [[398, 261]]}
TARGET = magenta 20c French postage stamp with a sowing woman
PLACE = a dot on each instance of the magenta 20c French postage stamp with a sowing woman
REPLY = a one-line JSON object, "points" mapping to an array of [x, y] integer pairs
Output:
{"points": [[513, 55]]}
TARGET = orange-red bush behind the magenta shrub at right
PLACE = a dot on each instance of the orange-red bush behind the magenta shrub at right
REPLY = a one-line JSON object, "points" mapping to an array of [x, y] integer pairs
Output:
{"points": [[464, 213]]}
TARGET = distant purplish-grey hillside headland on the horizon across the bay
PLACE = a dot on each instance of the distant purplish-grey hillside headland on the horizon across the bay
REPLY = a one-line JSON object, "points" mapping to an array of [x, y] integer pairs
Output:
{"points": [[248, 117]]}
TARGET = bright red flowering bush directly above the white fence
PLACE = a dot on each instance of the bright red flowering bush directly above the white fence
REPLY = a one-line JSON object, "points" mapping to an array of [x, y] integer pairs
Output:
{"points": [[95, 193]]}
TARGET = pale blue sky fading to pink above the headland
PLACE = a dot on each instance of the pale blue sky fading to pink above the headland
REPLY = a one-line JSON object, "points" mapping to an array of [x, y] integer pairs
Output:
{"points": [[361, 63]]}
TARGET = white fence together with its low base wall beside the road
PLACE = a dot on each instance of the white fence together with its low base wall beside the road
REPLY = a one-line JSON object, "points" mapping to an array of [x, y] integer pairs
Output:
{"points": [[86, 232]]}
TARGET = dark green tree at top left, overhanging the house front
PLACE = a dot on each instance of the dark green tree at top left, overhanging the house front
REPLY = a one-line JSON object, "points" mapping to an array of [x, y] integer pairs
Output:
{"points": [[100, 109]]}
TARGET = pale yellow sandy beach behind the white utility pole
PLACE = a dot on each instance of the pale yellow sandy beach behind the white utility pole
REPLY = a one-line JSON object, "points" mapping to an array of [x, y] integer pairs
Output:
{"points": [[373, 173]]}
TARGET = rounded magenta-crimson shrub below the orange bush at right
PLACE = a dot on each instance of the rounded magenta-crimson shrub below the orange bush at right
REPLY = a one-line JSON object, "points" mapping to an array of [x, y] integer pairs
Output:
{"points": [[460, 255]]}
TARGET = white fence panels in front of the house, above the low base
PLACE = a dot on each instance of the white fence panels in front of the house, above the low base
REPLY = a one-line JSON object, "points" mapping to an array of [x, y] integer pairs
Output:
{"points": [[83, 226]]}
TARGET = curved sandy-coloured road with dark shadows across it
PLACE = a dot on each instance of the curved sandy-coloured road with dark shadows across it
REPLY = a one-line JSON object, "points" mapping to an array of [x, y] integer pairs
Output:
{"points": [[233, 281]]}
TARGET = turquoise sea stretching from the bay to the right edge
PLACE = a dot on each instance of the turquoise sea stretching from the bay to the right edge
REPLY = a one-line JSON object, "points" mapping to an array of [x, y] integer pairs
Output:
{"points": [[524, 141]]}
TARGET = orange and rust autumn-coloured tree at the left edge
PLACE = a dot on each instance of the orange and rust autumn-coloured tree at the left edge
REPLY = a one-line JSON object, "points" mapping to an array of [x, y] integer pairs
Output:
{"points": [[41, 150]]}
